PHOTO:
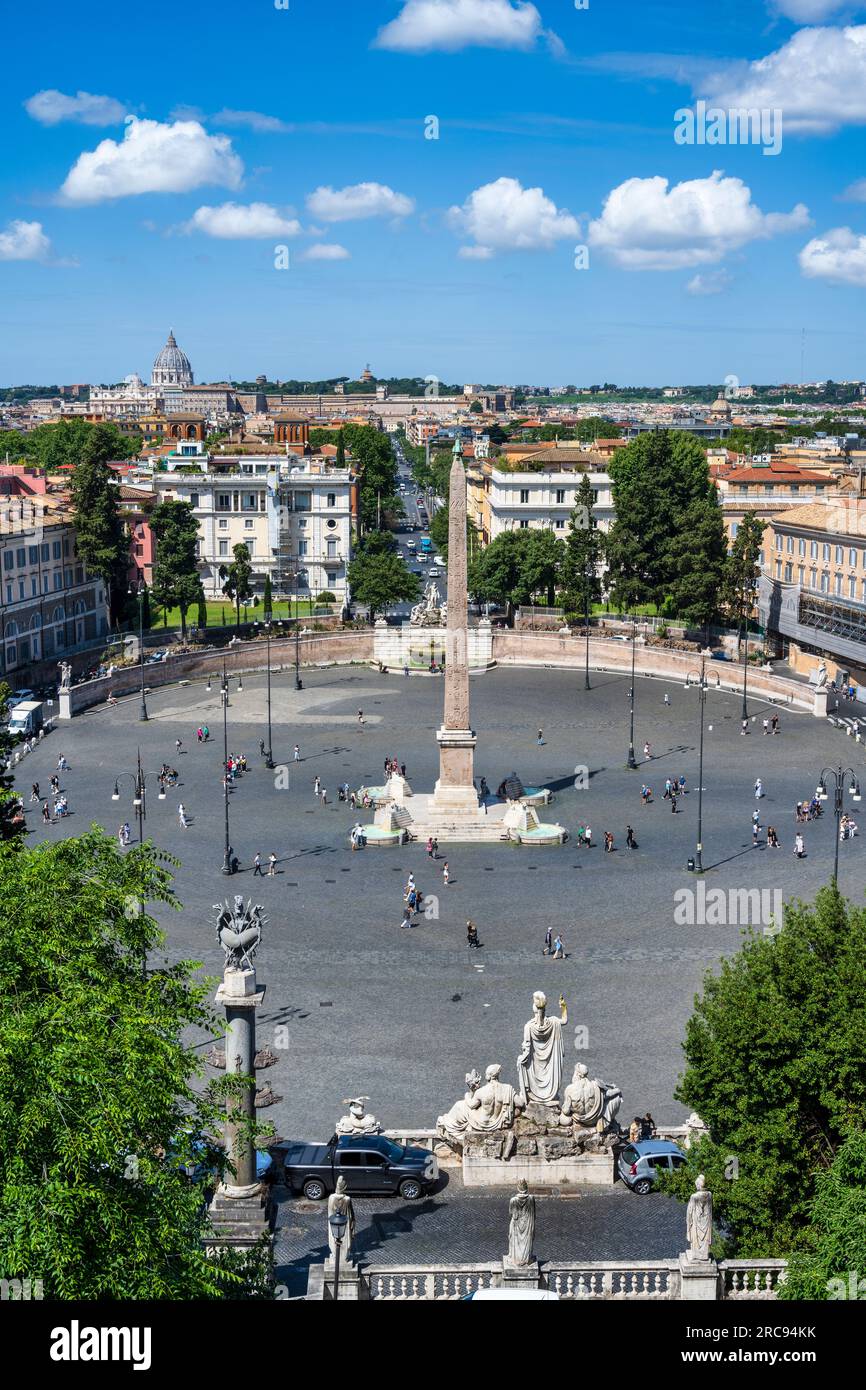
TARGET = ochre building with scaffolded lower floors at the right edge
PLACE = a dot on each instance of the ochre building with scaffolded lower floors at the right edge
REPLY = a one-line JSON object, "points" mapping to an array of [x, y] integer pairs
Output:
{"points": [[812, 594]]}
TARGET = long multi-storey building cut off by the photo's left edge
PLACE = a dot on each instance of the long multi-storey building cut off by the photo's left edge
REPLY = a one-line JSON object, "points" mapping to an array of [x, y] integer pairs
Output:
{"points": [[49, 604]]}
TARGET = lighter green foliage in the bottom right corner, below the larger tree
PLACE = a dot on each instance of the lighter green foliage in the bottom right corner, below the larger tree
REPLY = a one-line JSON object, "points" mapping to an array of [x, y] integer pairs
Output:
{"points": [[838, 1235]]}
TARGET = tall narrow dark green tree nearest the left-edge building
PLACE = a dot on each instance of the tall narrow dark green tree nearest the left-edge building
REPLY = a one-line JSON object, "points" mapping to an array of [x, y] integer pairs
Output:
{"points": [[101, 533]]}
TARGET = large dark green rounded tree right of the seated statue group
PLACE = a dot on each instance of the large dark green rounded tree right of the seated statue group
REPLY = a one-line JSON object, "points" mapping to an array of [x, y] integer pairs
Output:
{"points": [[776, 1068]]}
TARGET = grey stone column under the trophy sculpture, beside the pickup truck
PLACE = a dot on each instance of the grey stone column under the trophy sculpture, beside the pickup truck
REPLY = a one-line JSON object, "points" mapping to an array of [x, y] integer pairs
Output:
{"points": [[241, 1207]]}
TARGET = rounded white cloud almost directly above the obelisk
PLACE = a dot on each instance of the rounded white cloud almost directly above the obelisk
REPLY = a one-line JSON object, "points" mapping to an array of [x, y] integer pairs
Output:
{"points": [[507, 216]]}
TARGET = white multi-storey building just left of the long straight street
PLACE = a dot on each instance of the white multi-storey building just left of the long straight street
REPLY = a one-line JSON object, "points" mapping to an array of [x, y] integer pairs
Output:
{"points": [[294, 514]]}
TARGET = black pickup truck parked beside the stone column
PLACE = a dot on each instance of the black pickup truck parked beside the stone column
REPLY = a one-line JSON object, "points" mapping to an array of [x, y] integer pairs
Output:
{"points": [[370, 1164]]}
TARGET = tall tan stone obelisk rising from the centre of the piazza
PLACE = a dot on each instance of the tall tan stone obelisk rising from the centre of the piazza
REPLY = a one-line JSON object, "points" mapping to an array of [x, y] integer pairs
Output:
{"points": [[455, 789]]}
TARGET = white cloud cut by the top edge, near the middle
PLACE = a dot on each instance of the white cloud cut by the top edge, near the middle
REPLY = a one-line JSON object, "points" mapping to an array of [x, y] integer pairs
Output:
{"points": [[427, 26]]}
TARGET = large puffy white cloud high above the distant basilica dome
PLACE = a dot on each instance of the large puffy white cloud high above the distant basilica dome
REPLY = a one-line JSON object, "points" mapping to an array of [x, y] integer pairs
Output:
{"points": [[154, 158]]}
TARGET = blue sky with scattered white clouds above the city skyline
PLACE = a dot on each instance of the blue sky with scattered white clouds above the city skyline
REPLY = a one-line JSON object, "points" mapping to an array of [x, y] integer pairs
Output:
{"points": [[256, 127]]}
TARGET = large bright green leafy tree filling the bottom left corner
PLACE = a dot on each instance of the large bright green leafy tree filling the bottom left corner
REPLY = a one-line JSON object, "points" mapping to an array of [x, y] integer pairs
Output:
{"points": [[101, 1096]]}
